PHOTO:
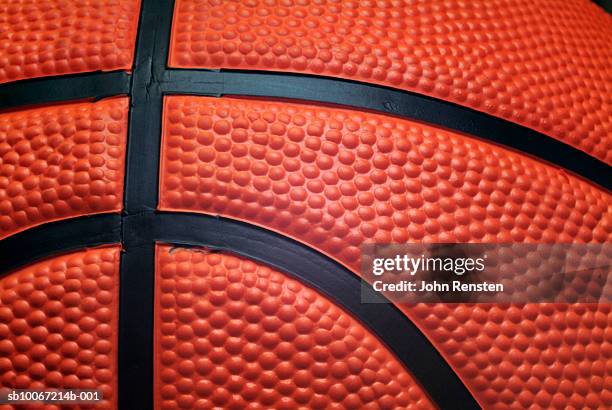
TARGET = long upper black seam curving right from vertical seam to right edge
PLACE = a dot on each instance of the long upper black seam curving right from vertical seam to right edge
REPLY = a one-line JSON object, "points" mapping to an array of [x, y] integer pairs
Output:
{"points": [[396, 102]]}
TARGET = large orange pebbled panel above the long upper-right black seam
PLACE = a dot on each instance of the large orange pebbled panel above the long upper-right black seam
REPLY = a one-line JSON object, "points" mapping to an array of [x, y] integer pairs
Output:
{"points": [[543, 64]]}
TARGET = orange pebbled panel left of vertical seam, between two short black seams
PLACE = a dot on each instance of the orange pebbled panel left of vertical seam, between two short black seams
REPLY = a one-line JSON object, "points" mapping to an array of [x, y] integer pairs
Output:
{"points": [[61, 161]]}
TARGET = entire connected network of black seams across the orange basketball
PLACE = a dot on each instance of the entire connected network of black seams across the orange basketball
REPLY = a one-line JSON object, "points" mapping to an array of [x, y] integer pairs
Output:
{"points": [[140, 226]]}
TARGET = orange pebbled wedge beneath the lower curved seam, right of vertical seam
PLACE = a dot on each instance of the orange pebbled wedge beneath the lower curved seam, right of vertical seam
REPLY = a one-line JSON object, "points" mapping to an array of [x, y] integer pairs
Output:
{"points": [[230, 333]]}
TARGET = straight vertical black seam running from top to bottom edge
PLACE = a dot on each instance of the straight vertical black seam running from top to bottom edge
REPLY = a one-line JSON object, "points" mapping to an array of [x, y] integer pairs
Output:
{"points": [[136, 294]]}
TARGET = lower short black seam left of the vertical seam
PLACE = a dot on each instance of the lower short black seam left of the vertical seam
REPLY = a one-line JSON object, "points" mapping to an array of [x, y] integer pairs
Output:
{"points": [[58, 237]]}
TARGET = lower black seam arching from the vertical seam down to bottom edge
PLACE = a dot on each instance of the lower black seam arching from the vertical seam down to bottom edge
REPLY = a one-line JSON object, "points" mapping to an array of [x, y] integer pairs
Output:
{"points": [[398, 333]]}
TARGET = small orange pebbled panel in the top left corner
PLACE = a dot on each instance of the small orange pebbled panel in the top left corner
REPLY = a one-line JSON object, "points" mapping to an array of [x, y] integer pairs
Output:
{"points": [[55, 37]]}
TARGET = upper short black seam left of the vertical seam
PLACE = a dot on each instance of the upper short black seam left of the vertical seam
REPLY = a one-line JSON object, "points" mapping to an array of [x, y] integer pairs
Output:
{"points": [[66, 88]]}
